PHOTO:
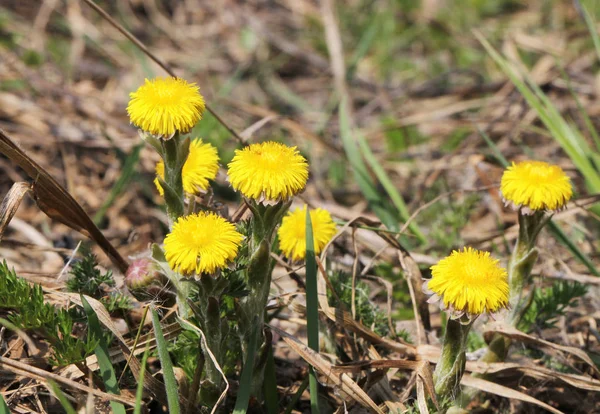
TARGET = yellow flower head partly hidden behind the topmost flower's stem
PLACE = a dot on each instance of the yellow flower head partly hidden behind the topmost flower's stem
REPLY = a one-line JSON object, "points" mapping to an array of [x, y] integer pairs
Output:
{"points": [[201, 165]]}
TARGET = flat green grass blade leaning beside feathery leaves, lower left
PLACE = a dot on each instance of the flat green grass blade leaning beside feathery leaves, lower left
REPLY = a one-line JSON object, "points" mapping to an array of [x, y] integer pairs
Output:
{"points": [[106, 369]]}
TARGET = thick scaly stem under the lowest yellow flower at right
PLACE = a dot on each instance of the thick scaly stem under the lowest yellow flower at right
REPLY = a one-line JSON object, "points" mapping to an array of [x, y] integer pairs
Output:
{"points": [[451, 365]]}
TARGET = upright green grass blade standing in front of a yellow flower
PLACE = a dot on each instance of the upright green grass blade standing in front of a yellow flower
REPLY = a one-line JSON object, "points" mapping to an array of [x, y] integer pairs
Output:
{"points": [[312, 310]]}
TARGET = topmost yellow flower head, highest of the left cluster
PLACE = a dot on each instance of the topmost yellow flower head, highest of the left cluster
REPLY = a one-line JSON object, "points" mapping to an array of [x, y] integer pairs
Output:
{"points": [[164, 105]]}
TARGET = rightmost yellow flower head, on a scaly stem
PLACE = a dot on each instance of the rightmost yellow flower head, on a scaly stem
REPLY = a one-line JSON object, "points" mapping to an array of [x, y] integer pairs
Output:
{"points": [[535, 185]]}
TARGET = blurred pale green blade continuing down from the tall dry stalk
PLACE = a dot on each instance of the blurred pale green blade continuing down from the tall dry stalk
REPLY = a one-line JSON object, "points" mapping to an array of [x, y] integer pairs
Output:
{"points": [[361, 173]]}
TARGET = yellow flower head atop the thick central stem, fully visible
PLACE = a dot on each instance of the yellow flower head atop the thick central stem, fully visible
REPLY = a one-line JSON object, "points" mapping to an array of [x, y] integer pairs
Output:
{"points": [[268, 171]]}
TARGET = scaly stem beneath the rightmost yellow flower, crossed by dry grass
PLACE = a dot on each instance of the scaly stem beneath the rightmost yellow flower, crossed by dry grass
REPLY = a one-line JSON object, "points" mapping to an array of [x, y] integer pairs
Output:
{"points": [[521, 263]]}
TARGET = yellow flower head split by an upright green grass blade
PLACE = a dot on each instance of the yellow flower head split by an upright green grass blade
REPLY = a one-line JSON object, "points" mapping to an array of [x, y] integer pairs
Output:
{"points": [[292, 233]]}
